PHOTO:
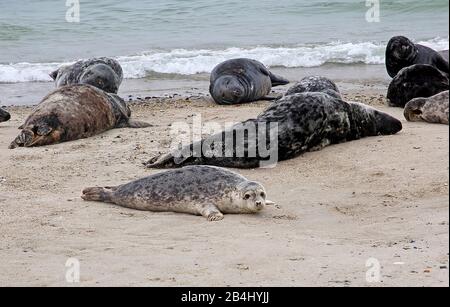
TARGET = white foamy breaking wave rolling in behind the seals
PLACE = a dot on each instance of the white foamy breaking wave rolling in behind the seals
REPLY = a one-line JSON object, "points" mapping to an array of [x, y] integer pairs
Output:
{"points": [[190, 62]]}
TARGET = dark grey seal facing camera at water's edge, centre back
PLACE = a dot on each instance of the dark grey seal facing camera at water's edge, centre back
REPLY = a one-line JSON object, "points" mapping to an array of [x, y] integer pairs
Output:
{"points": [[242, 80]]}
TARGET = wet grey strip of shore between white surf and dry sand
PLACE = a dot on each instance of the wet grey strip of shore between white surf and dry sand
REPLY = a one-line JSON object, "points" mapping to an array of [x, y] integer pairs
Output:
{"points": [[348, 77]]}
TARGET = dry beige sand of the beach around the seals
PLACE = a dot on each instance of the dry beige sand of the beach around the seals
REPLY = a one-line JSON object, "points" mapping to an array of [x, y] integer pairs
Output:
{"points": [[381, 197]]}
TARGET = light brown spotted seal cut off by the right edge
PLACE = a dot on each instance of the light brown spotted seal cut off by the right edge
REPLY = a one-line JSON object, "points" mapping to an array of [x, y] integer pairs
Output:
{"points": [[432, 110]]}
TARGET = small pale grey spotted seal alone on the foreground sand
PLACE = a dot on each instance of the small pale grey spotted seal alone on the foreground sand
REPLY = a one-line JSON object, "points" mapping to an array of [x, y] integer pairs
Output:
{"points": [[198, 190]]}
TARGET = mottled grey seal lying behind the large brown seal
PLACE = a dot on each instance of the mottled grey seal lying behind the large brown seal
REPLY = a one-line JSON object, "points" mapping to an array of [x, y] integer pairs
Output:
{"points": [[103, 73]]}
